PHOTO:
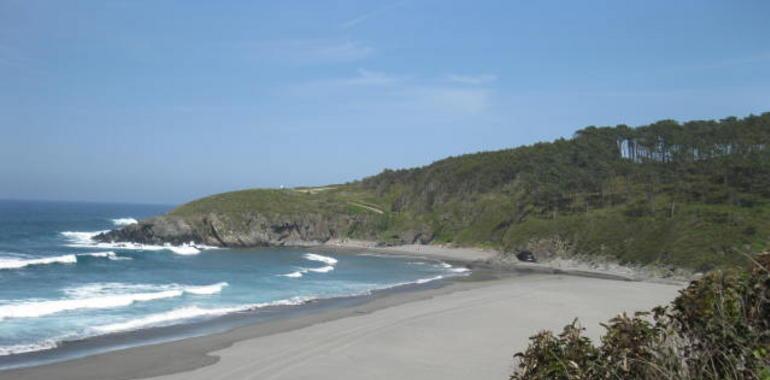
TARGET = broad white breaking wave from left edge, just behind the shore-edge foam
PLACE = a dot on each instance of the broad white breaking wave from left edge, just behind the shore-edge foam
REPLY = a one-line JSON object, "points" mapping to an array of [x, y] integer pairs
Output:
{"points": [[97, 296]]}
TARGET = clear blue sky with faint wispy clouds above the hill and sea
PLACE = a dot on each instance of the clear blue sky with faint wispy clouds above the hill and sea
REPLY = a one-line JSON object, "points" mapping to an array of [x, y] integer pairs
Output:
{"points": [[165, 101]]}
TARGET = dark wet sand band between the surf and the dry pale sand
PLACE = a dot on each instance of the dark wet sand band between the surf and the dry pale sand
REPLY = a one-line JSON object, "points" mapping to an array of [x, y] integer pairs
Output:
{"points": [[134, 361]]}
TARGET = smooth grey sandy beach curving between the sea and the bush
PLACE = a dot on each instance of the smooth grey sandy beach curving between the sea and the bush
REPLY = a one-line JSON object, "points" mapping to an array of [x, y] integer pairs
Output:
{"points": [[469, 328]]}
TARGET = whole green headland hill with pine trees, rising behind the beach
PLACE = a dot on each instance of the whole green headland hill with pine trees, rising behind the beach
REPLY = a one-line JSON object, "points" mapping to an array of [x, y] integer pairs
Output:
{"points": [[691, 194]]}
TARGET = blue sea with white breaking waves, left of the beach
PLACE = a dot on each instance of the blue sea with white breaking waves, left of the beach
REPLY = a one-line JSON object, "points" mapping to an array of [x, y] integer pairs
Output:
{"points": [[57, 285]]}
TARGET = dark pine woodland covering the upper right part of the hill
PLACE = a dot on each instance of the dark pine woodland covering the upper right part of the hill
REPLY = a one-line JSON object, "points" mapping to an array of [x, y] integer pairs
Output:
{"points": [[711, 162]]}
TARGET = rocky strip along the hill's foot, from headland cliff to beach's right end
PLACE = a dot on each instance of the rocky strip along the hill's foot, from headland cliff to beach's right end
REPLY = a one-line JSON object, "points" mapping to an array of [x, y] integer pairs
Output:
{"points": [[552, 255]]}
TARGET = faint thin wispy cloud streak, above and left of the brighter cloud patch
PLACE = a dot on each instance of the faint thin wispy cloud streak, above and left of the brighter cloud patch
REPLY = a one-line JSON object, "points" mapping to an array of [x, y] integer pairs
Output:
{"points": [[309, 51]]}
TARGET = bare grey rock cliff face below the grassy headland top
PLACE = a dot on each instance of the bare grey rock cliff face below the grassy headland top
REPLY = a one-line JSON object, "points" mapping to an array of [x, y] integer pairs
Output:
{"points": [[253, 230]]}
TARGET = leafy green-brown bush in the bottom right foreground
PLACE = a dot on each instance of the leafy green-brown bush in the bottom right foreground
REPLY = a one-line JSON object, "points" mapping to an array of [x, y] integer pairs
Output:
{"points": [[717, 328]]}
